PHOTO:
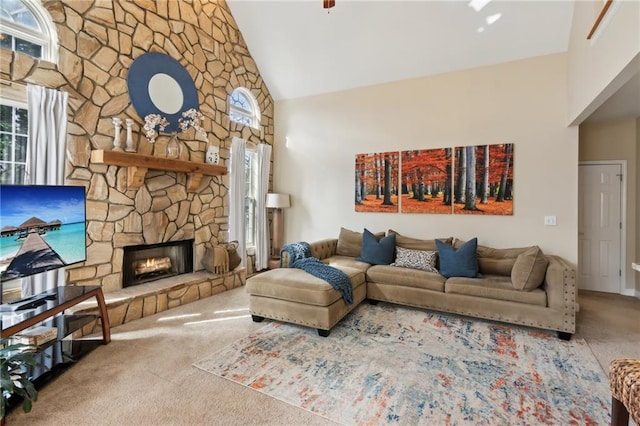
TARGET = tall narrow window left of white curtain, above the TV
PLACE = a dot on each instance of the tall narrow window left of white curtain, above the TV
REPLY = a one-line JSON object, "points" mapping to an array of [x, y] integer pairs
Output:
{"points": [[13, 143]]}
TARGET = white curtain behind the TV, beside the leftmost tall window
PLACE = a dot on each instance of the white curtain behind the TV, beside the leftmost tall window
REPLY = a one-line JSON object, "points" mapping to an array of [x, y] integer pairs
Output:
{"points": [[46, 153]]}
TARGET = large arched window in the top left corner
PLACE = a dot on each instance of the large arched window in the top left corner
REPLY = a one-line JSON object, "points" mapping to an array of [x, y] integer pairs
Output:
{"points": [[25, 26]]}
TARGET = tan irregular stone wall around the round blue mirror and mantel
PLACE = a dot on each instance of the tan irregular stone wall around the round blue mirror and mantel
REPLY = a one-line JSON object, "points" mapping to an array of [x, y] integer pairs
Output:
{"points": [[98, 41]]}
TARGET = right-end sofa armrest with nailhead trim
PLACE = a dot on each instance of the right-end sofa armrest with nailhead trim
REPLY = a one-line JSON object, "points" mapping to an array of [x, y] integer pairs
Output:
{"points": [[560, 286]]}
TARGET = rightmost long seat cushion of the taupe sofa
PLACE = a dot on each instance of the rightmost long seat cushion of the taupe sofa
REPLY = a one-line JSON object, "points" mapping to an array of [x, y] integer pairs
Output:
{"points": [[494, 287]]}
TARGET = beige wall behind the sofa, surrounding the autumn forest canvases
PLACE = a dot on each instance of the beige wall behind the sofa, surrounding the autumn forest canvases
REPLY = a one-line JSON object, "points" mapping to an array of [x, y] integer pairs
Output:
{"points": [[522, 102]]}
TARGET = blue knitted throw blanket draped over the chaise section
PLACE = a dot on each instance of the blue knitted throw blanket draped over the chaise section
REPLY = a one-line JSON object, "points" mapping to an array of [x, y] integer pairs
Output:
{"points": [[300, 257]]}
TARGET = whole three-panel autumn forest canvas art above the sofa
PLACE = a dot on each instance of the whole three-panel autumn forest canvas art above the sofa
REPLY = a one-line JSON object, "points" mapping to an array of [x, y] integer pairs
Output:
{"points": [[461, 180]]}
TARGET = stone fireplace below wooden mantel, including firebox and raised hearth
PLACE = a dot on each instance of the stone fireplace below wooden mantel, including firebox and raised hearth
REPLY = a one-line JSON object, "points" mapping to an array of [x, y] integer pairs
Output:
{"points": [[145, 245]]}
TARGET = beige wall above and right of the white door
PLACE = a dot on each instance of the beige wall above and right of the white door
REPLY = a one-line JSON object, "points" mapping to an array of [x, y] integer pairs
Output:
{"points": [[618, 140]]}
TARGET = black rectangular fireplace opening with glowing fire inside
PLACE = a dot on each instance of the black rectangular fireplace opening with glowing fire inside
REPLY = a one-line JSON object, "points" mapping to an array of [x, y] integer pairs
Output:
{"points": [[150, 262]]}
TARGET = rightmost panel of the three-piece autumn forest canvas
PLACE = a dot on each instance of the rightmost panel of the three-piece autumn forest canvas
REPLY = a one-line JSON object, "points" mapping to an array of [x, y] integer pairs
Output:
{"points": [[483, 181]]}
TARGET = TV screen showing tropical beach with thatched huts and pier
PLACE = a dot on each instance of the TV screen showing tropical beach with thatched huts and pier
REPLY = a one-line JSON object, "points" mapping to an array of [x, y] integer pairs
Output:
{"points": [[41, 228]]}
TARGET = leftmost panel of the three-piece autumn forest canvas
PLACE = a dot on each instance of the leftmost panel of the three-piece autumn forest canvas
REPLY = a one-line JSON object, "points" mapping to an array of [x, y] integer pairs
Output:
{"points": [[376, 182]]}
